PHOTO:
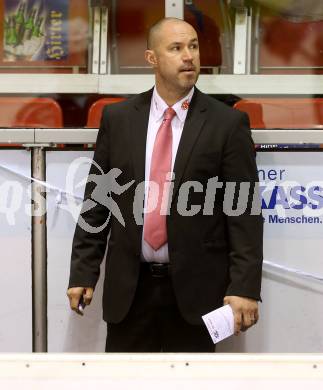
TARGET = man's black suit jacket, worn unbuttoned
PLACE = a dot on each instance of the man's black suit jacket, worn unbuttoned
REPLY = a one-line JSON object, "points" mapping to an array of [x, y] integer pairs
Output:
{"points": [[211, 255]]}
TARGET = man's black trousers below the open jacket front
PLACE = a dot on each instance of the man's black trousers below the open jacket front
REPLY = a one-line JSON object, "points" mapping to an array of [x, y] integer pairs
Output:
{"points": [[154, 323]]}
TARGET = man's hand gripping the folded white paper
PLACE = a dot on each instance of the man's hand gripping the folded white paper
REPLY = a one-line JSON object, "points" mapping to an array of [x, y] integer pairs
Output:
{"points": [[245, 312]]}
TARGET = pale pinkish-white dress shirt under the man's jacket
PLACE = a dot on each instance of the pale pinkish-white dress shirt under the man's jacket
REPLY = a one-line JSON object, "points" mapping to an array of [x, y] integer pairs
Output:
{"points": [[157, 109]]}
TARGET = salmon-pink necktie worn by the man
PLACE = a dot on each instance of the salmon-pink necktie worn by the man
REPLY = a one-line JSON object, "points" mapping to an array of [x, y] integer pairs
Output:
{"points": [[161, 163]]}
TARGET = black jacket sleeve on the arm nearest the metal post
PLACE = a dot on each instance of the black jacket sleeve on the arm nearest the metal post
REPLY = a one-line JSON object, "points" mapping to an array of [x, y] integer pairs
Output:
{"points": [[90, 238]]}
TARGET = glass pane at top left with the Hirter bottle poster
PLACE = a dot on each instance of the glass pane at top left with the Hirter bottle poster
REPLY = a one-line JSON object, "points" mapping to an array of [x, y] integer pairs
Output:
{"points": [[49, 36]]}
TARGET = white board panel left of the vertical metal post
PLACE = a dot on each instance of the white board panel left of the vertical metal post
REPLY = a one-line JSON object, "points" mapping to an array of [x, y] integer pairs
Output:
{"points": [[15, 254]]}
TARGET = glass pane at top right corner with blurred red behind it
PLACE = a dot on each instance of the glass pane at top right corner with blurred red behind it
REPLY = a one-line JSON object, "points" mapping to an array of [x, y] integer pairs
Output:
{"points": [[290, 37]]}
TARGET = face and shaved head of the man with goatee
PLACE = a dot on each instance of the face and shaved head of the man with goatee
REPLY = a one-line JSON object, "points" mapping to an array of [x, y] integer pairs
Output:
{"points": [[176, 56]]}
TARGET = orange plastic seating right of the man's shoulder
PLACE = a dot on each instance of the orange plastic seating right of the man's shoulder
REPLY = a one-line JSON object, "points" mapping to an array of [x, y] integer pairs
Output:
{"points": [[281, 113]]}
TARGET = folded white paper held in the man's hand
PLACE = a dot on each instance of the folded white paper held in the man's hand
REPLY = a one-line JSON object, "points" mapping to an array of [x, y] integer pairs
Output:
{"points": [[220, 323]]}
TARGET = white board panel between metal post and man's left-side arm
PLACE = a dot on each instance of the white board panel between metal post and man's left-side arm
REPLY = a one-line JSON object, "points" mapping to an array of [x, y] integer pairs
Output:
{"points": [[67, 332]]}
